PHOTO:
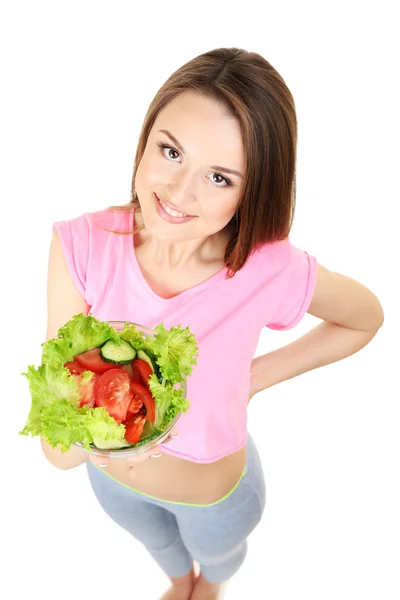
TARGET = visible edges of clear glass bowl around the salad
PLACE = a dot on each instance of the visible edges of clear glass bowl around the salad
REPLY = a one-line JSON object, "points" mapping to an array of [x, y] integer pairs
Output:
{"points": [[156, 437]]}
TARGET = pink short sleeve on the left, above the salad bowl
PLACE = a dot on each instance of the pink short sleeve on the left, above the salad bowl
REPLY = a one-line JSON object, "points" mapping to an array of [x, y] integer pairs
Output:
{"points": [[74, 235]]}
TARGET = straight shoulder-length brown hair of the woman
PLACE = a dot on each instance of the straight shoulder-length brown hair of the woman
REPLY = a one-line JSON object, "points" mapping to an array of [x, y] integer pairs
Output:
{"points": [[253, 92]]}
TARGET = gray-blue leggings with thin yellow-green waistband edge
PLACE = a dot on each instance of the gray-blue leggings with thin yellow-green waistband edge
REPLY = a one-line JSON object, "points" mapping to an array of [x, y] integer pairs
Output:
{"points": [[175, 534]]}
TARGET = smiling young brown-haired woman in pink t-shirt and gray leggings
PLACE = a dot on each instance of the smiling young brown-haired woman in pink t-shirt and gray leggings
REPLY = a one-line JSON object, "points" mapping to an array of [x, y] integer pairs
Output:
{"points": [[204, 242]]}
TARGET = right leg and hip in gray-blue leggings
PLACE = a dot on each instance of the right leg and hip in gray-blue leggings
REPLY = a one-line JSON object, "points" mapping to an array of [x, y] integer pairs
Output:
{"points": [[216, 535]]}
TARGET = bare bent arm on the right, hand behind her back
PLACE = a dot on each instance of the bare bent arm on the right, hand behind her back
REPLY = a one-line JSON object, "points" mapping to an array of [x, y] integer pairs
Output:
{"points": [[352, 315]]}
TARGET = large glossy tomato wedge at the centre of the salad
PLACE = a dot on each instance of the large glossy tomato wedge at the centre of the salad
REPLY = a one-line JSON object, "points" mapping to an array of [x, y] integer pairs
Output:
{"points": [[112, 390]]}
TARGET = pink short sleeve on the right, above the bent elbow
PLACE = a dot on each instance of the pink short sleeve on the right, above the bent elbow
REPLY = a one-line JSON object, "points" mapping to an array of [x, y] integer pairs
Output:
{"points": [[300, 276]]}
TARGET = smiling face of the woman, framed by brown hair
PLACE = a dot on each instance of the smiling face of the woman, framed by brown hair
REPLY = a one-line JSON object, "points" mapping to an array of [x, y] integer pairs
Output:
{"points": [[187, 174]]}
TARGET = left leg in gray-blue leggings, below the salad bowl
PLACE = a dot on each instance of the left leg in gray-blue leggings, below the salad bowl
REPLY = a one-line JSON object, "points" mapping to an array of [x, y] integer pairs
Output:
{"points": [[155, 527]]}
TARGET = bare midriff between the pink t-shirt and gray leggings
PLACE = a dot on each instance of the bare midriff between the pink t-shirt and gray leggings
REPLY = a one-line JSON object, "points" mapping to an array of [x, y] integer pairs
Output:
{"points": [[178, 480]]}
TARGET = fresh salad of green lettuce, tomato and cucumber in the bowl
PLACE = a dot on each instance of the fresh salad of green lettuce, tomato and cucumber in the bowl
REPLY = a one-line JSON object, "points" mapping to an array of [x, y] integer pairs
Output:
{"points": [[99, 387]]}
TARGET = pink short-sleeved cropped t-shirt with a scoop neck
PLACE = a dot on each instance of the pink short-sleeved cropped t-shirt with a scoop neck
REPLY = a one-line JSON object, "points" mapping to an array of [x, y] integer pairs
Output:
{"points": [[273, 289]]}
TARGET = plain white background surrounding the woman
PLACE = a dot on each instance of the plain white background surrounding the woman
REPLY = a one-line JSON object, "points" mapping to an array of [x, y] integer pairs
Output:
{"points": [[77, 78]]}
